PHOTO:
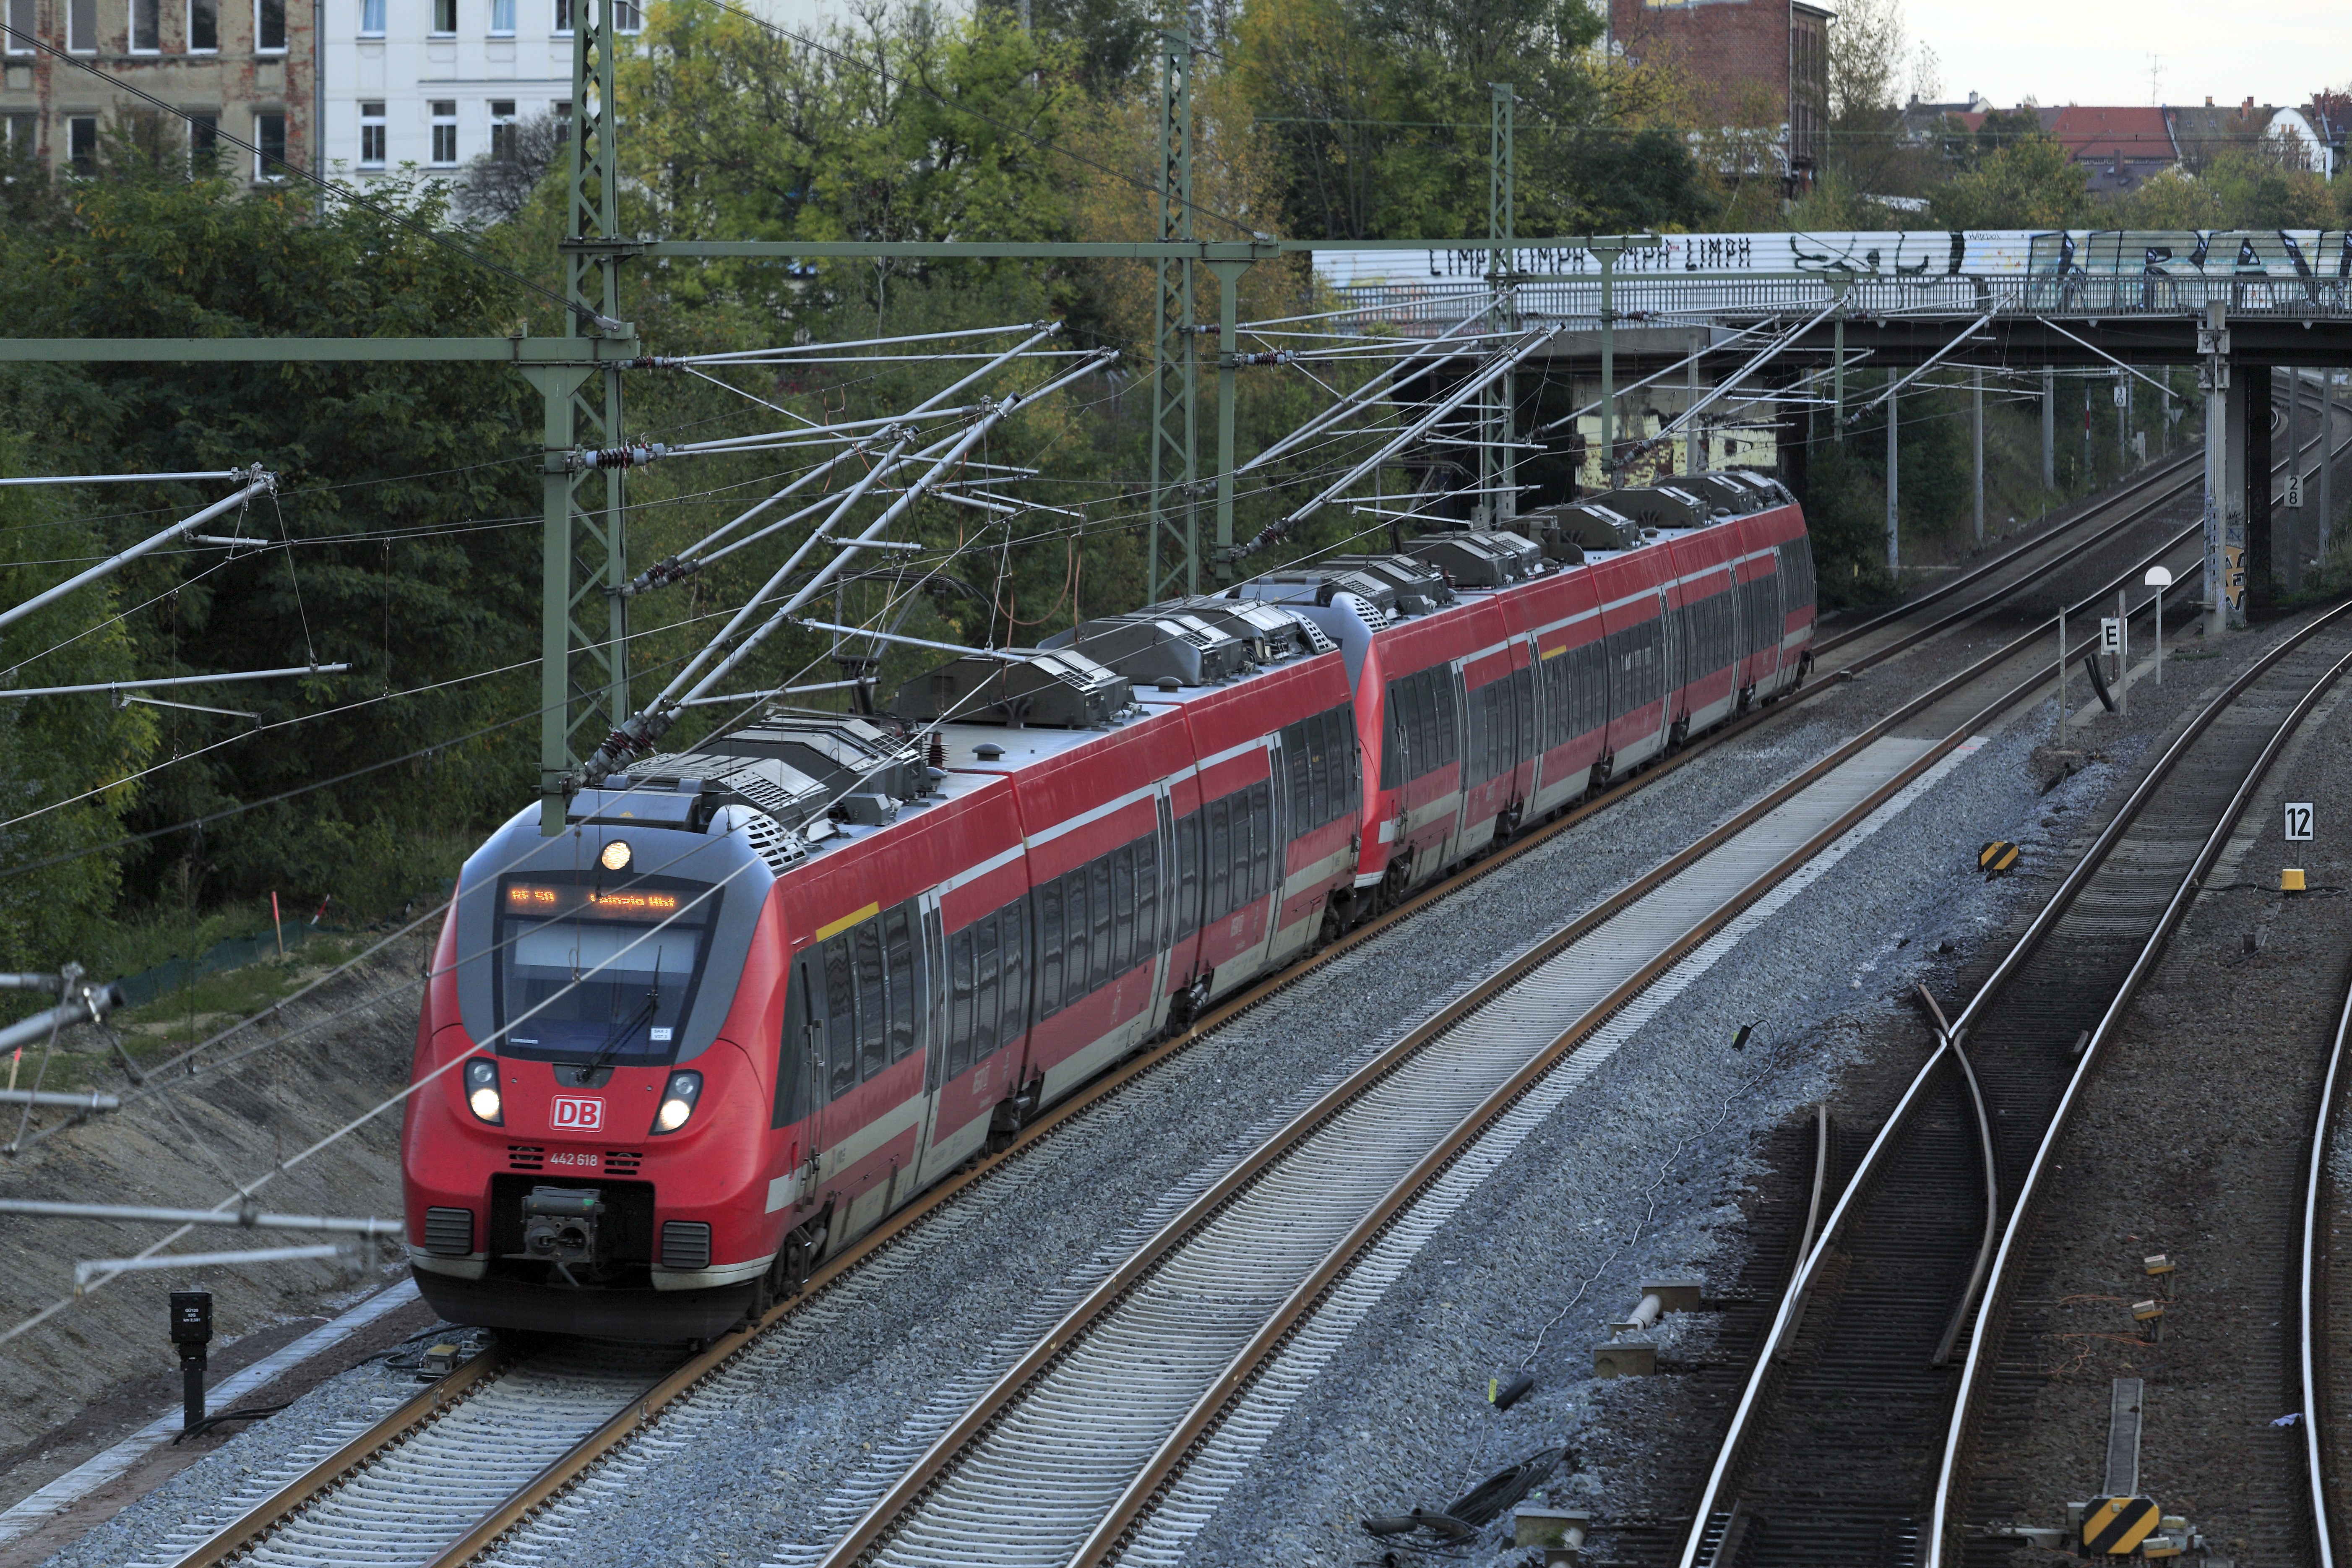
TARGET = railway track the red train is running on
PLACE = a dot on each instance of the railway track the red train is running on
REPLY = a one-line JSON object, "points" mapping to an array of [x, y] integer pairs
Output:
{"points": [[446, 1475]]}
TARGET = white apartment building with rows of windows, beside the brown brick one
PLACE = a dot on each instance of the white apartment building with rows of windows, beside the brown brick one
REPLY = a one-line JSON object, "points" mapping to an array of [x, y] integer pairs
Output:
{"points": [[436, 83]]}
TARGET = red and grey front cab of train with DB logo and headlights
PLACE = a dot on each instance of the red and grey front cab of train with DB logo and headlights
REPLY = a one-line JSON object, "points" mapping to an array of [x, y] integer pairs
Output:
{"points": [[587, 1155]]}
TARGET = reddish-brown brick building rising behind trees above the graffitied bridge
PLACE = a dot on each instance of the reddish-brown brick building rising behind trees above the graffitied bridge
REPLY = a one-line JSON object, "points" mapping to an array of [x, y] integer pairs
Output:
{"points": [[1746, 58]]}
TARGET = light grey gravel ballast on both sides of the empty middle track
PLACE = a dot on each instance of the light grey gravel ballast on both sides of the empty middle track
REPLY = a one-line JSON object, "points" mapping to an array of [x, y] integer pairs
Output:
{"points": [[787, 1447]]}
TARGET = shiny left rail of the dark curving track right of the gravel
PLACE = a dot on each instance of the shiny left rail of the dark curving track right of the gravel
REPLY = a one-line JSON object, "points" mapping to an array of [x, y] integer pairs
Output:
{"points": [[1897, 1123]]}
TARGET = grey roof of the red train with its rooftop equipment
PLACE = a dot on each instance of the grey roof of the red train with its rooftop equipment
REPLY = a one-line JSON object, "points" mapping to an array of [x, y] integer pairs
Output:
{"points": [[820, 782]]}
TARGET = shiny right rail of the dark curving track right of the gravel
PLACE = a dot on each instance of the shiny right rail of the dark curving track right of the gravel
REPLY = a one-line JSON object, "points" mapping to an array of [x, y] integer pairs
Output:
{"points": [[2144, 965]]}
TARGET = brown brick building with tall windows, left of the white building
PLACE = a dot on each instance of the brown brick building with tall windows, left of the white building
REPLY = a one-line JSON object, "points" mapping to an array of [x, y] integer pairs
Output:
{"points": [[241, 67]]}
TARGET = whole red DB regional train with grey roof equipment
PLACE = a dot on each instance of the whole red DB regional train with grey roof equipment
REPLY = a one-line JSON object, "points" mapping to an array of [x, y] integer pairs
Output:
{"points": [[759, 996]]}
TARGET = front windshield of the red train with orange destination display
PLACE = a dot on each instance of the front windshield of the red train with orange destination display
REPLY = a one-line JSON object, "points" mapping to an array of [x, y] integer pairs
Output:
{"points": [[601, 972]]}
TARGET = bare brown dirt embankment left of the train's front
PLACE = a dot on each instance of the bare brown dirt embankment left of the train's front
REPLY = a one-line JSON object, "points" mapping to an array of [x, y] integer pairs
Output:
{"points": [[305, 1073]]}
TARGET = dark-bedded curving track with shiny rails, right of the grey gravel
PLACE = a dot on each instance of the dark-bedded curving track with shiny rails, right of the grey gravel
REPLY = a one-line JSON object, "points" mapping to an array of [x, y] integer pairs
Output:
{"points": [[1843, 1442]]}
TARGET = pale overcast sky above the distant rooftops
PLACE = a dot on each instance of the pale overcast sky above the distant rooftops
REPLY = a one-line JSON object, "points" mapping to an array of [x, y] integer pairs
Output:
{"points": [[2099, 51]]}
